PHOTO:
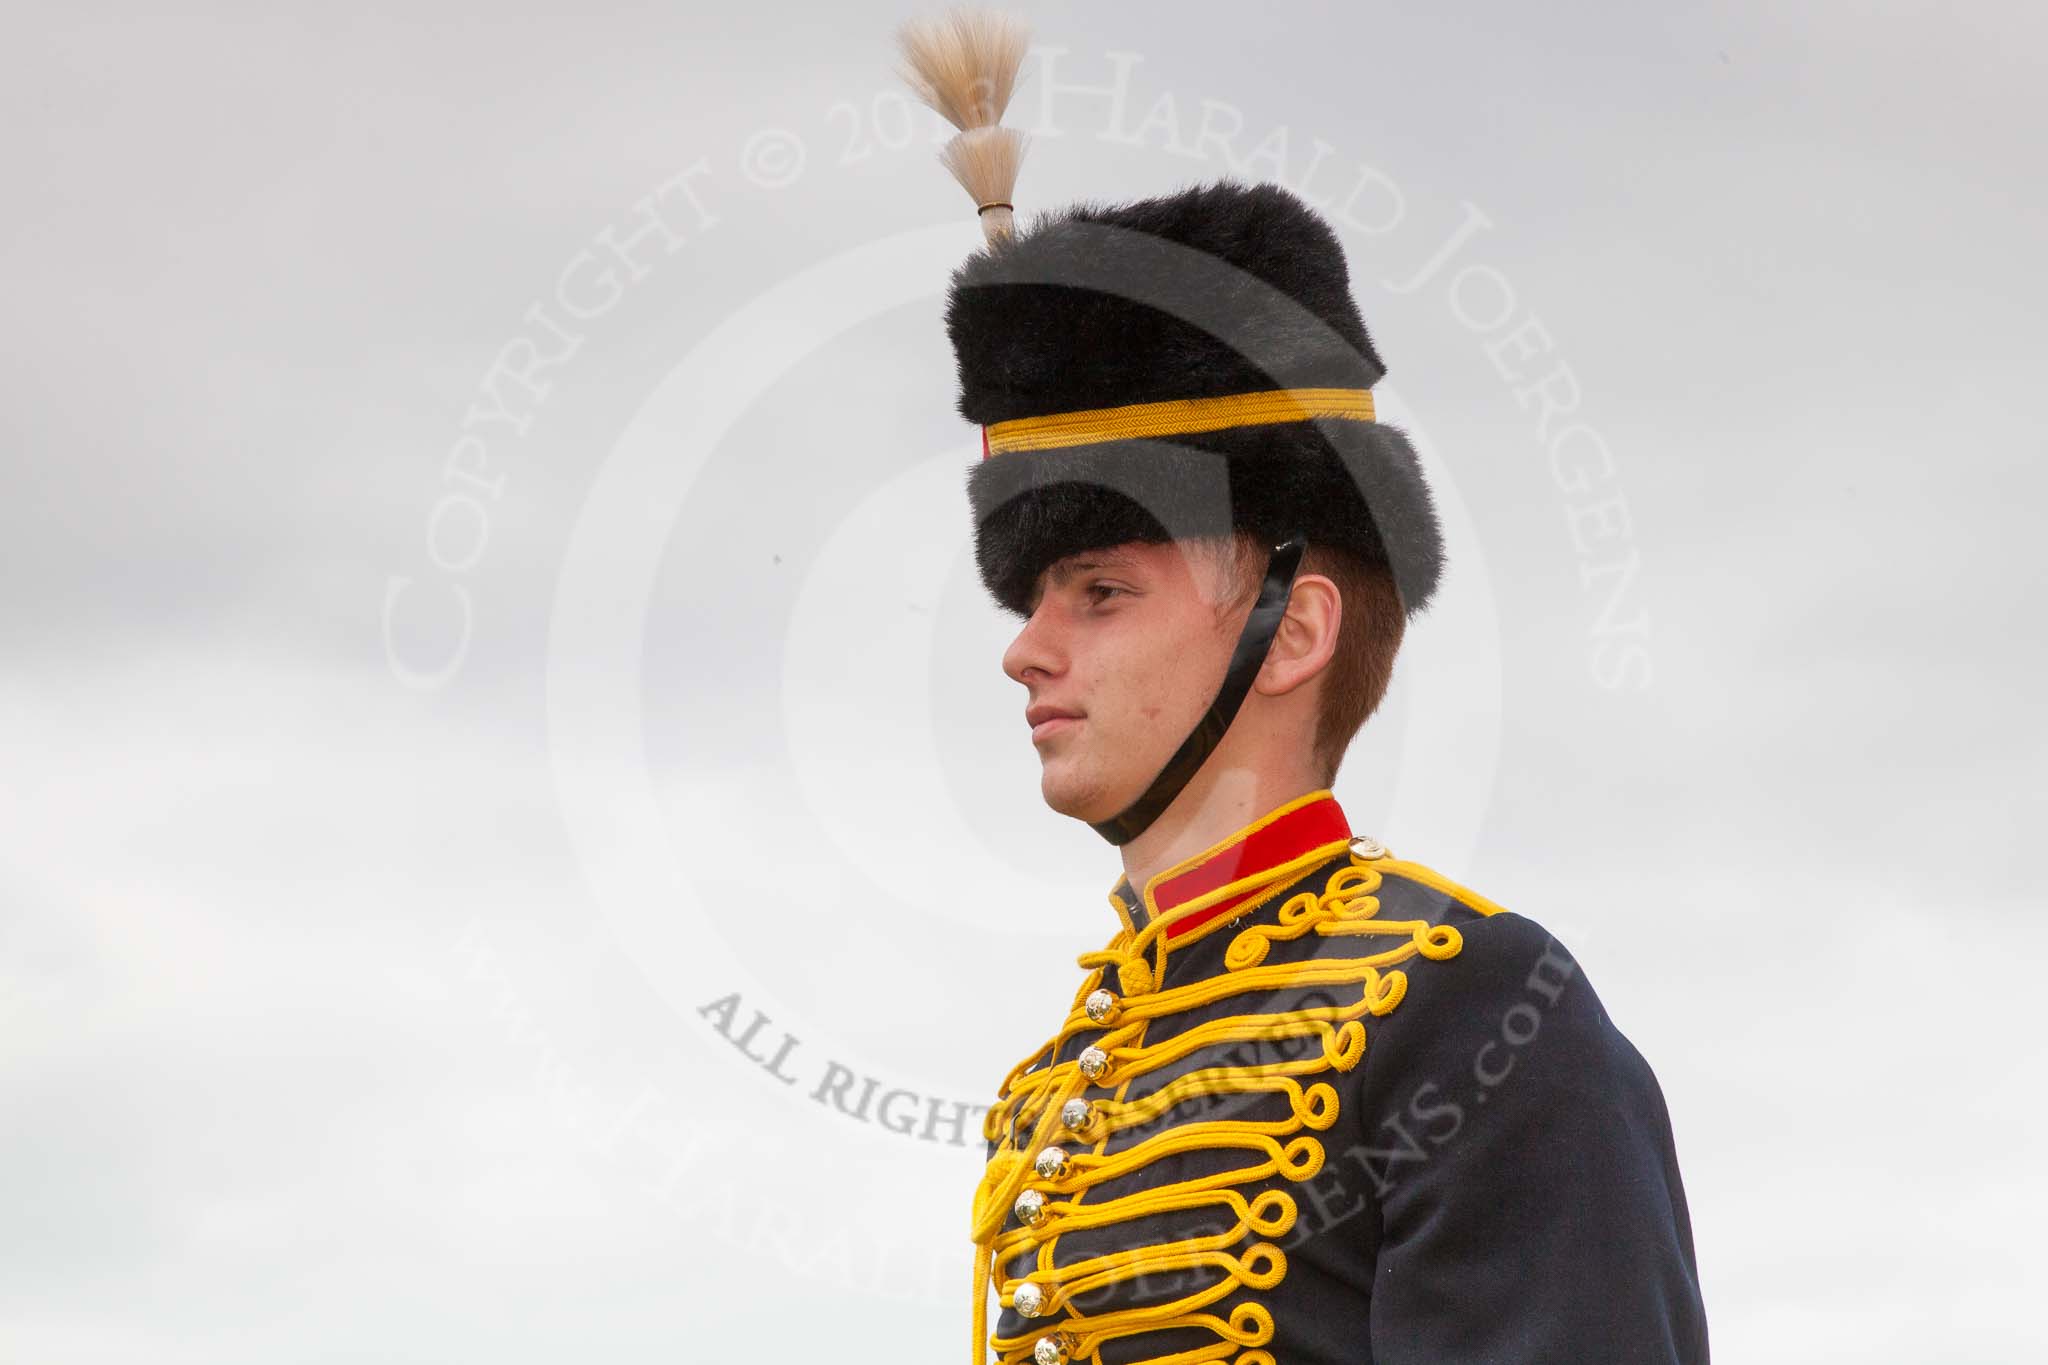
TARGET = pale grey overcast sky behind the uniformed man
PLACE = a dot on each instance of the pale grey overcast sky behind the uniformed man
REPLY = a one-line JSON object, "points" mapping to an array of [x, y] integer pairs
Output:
{"points": [[357, 1020]]}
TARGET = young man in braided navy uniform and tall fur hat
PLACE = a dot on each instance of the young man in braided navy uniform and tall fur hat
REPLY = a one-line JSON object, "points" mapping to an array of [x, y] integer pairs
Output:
{"points": [[1312, 1104]]}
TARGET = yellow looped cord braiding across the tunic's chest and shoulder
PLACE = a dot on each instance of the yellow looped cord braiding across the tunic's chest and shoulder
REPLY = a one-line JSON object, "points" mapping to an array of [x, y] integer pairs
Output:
{"points": [[1046, 1184]]}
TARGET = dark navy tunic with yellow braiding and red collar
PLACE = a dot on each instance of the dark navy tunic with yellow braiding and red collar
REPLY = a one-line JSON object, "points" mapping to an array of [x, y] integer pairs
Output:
{"points": [[1320, 1106]]}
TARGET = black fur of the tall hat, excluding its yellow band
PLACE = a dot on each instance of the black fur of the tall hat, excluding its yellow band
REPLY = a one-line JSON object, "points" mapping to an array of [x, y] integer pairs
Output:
{"points": [[1211, 292]]}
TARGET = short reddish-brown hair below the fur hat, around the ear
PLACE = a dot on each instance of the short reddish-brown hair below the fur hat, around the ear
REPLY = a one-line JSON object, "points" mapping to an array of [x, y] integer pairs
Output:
{"points": [[1369, 637]]}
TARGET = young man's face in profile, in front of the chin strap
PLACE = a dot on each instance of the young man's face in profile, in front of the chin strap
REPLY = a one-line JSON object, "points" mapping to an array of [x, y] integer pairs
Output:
{"points": [[1121, 654]]}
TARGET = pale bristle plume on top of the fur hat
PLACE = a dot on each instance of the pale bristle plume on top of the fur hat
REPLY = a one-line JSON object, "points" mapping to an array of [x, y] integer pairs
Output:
{"points": [[966, 67]]}
